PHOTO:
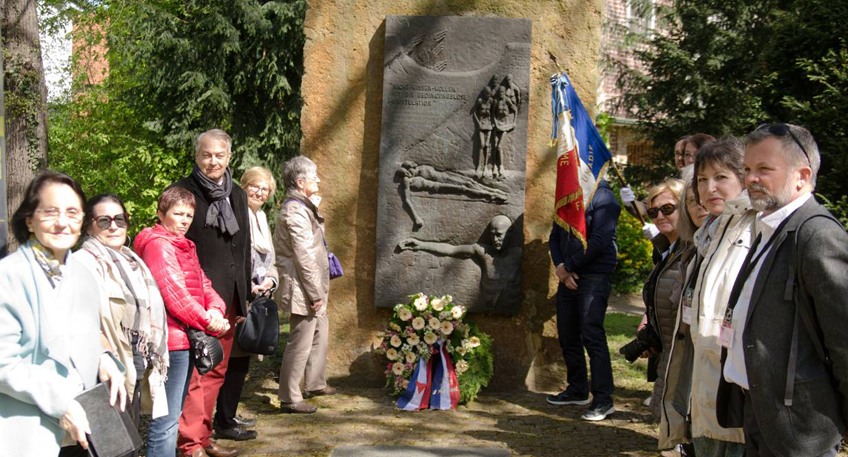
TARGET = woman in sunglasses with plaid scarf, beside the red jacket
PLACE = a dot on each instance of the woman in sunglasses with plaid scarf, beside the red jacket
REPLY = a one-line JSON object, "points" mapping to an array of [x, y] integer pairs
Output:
{"points": [[132, 313]]}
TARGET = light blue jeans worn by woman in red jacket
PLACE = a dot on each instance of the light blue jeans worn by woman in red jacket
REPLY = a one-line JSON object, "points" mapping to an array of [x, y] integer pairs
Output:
{"points": [[162, 436]]}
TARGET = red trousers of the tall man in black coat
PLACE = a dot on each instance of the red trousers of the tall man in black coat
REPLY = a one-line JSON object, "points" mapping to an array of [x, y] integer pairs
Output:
{"points": [[196, 419]]}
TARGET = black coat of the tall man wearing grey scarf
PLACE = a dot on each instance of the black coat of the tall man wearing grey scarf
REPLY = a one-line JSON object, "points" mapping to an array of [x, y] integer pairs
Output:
{"points": [[225, 259]]}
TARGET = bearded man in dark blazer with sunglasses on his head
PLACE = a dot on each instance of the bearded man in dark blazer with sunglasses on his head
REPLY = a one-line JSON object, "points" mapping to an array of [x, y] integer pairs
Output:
{"points": [[785, 356]]}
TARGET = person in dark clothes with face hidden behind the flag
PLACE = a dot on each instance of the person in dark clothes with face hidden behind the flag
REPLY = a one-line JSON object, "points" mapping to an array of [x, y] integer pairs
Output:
{"points": [[585, 282]]}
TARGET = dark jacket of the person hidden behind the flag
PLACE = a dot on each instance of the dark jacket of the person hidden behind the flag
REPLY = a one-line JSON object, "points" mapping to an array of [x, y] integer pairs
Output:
{"points": [[601, 254]]}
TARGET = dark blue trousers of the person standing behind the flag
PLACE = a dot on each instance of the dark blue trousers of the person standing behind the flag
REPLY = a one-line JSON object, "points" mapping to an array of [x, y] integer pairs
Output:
{"points": [[580, 324]]}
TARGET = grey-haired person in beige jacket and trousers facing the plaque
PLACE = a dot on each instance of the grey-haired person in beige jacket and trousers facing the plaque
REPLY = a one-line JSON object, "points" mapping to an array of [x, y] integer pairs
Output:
{"points": [[304, 272]]}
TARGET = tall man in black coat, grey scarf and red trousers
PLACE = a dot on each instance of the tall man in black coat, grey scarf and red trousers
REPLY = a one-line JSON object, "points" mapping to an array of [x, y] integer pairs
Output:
{"points": [[221, 232]]}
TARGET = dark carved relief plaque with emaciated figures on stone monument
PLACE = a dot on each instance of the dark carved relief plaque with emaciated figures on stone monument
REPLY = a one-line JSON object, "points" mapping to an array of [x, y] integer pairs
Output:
{"points": [[452, 160]]}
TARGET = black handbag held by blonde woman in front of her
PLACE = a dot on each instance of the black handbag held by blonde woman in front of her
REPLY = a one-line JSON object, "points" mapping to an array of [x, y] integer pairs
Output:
{"points": [[259, 333]]}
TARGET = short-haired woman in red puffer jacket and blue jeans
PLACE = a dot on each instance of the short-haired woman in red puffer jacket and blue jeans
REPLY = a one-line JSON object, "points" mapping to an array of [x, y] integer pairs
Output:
{"points": [[189, 300]]}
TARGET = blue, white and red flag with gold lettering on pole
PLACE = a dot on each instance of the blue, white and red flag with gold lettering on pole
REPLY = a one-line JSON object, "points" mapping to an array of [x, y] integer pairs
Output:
{"points": [[582, 157]]}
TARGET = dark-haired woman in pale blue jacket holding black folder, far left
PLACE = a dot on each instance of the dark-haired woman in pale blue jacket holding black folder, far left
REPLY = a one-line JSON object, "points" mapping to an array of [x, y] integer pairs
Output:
{"points": [[50, 344]]}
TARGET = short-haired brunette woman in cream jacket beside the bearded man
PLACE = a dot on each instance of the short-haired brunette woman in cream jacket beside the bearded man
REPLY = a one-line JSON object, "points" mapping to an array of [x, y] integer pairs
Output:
{"points": [[722, 243]]}
